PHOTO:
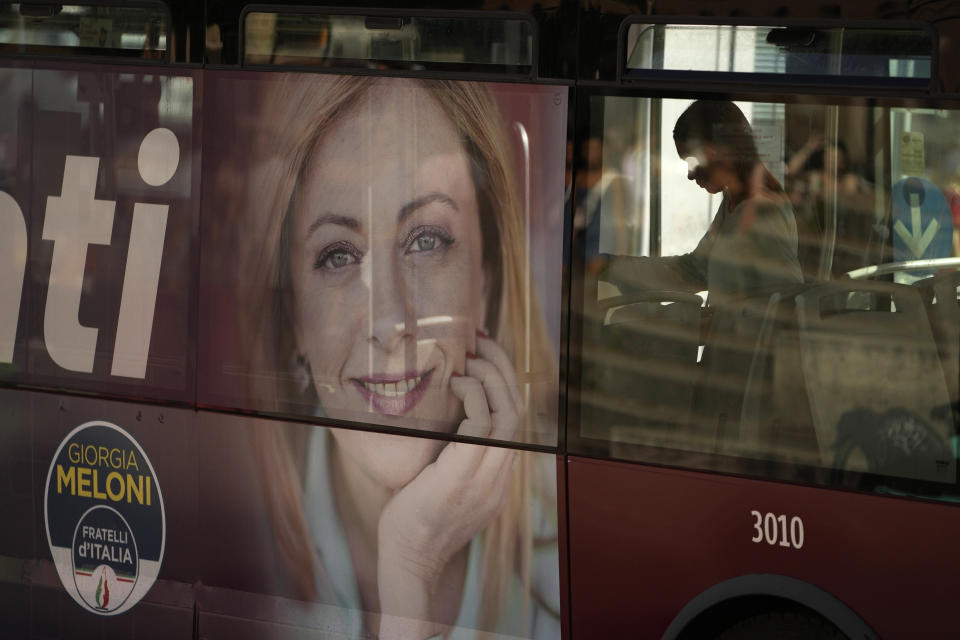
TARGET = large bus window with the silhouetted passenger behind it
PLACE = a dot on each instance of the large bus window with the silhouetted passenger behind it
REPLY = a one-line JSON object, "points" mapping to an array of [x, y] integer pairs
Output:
{"points": [[771, 282]]}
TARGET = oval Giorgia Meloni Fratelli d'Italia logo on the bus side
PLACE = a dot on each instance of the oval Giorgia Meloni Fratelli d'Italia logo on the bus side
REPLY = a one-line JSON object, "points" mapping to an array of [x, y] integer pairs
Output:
{"points": [[105, 519]]}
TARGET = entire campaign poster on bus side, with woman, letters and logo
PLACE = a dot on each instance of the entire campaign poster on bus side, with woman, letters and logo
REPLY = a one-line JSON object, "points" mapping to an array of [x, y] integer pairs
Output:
{"points": [[371, 252]]}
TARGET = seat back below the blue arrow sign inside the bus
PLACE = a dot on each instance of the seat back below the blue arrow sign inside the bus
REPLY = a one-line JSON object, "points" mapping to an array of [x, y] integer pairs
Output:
{"points": [[868, 346]]}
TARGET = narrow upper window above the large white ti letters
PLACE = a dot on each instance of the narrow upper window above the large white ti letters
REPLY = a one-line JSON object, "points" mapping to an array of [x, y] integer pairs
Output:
{"points": [[84, 29]]}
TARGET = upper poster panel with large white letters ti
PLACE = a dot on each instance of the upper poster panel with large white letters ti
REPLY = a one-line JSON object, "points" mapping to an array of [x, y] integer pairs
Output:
{"points": [[99, 195]]}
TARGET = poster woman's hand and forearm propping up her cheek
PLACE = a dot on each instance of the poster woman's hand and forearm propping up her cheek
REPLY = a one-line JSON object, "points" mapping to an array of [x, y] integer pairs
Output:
{"points": [[433, 518]]}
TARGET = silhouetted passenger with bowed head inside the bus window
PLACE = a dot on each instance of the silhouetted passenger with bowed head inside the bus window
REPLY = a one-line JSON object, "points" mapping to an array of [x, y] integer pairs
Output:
{"points": [[750, 247]]}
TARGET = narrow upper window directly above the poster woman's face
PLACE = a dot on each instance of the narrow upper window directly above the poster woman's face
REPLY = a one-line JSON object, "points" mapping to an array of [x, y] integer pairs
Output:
{"points": [[387, 42]]}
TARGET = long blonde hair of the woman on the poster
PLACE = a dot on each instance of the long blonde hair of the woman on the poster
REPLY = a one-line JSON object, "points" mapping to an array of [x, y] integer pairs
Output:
{"points": [[301, 111]]}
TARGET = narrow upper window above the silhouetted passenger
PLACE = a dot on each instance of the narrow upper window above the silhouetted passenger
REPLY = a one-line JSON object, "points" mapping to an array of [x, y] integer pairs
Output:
{"points": [[793, 53]]}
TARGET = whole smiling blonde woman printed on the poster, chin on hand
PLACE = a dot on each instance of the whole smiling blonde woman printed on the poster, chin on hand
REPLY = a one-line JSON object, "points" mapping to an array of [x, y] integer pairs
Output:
{"points": [[384, 283]]}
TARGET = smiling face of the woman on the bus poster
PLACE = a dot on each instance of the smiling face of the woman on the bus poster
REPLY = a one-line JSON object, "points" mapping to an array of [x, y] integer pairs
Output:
{"points": [[386, 262]]}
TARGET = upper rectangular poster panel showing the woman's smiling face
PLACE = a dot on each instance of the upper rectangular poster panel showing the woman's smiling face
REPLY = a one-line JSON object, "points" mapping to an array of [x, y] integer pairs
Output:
{"points": [[384, 251]]}
